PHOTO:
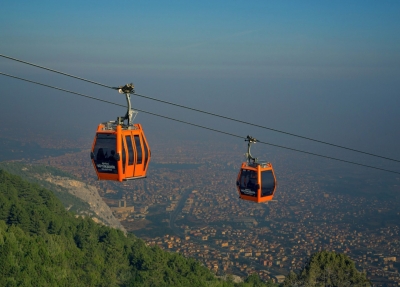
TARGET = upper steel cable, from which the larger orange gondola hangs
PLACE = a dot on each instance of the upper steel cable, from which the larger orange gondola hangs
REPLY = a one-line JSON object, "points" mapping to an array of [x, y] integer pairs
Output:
{"points": [[208, 113]]}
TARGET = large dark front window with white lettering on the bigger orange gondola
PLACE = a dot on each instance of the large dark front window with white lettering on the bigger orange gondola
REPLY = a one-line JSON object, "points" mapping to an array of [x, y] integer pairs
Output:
{"points": [[104, 151]]}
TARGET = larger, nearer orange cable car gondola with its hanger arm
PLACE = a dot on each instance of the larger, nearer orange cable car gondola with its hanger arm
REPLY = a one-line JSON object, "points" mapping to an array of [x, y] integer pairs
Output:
{"points": [[120, 151]]}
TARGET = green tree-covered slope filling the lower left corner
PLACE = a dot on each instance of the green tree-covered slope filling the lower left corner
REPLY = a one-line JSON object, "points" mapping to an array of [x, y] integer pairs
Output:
{"points": [[41, 244]]}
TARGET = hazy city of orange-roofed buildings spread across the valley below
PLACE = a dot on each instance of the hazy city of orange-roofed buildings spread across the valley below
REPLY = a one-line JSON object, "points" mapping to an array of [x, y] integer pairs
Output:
{"points": [[189, 204]]}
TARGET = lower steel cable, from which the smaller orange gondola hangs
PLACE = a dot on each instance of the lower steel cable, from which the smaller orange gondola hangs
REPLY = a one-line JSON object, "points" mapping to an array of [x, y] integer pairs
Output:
{"points": [[200, 126]]}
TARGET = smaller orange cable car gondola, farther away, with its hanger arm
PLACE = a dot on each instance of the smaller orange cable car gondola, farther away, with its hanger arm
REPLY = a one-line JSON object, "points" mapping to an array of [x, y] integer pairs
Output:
{"points": [[256, 181]]}
